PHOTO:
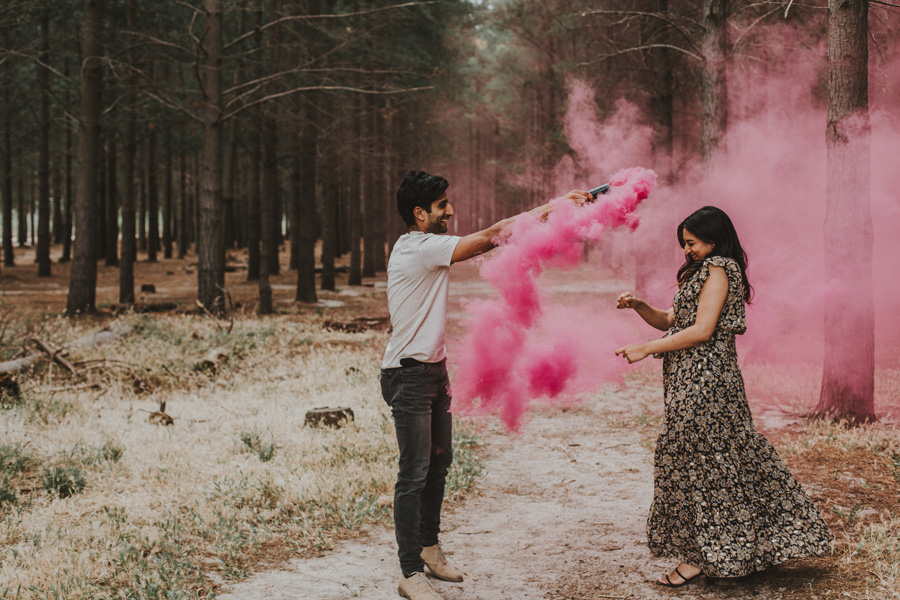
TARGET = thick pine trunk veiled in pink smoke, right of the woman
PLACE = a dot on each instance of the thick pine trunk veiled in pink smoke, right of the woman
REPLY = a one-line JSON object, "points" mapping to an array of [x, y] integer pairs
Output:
{"points": [[848, 374]]}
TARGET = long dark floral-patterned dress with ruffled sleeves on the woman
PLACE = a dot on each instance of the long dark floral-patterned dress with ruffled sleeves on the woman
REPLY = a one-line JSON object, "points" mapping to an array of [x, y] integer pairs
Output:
{"points": [[723, 499]]}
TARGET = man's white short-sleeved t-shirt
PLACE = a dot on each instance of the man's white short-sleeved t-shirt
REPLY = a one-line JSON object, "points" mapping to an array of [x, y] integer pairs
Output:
{"points": [[418, 288]]}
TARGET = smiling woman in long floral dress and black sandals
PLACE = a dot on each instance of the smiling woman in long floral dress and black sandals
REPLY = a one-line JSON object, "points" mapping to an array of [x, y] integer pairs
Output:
{"points": [[723, 503]]}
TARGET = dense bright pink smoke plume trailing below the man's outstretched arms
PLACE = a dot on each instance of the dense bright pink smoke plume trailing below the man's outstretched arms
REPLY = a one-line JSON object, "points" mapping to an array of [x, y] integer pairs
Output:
{"points": [[515, 350]]}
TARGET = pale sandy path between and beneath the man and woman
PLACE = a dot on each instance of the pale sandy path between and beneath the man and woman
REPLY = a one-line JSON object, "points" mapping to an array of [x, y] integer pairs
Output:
{"points": [[560, 514]]}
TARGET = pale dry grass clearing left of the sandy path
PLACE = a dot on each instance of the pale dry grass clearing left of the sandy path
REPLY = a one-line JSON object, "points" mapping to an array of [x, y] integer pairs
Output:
{"points": [[238, 480]]}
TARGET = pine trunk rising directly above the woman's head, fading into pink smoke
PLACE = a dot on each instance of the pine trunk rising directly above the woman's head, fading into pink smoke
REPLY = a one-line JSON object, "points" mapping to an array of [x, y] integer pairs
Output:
{"points": [[714, 90]]}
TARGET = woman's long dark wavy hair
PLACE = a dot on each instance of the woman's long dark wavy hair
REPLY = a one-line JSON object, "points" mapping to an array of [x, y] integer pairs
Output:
{"points": [[712, 226]]}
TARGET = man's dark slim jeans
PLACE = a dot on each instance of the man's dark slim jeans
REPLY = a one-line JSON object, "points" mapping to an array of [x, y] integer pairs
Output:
{"points": [[419, 397]]}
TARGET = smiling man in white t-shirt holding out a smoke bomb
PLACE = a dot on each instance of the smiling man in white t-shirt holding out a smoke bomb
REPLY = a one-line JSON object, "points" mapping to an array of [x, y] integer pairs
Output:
{"points": [[414, 379]]}
